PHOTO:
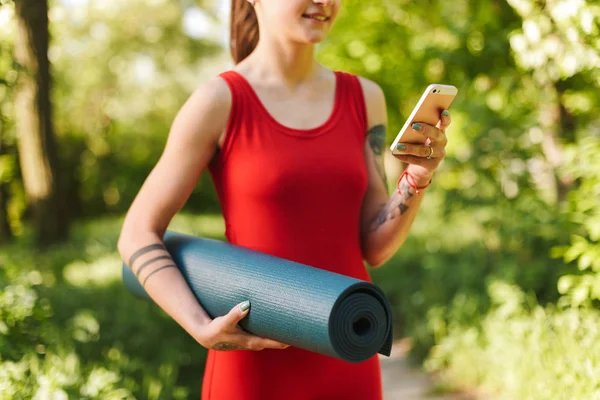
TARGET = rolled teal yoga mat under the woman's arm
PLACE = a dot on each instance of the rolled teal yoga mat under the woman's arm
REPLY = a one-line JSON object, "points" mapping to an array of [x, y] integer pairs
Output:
{"points": [[303, 306]]}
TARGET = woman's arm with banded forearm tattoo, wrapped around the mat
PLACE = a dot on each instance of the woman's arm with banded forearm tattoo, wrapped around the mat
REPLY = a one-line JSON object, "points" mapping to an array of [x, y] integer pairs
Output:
{"points": [[192, 142]]}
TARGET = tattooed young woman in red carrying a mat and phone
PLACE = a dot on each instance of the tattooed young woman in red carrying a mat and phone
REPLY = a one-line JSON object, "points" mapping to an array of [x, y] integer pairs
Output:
{"points": [[295, 151]]}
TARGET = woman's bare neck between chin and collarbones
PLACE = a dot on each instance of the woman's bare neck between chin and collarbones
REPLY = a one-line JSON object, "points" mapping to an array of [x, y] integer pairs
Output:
{"points": [[291, 62]]}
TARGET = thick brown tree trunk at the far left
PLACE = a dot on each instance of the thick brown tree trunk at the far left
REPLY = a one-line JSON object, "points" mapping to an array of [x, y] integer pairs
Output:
{"points": [[36, 146]]}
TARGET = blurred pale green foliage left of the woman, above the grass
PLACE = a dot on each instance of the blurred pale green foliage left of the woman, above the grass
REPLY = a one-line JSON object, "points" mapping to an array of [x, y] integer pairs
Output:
{"points": [[120, 73]]}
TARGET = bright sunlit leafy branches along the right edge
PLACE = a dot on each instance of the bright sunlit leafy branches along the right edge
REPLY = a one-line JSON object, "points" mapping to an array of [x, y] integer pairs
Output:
{"points": [[559, 45]]}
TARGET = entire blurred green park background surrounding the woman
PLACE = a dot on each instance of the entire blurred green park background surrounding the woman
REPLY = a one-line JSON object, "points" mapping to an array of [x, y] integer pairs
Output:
{"points": [[497, 286]]}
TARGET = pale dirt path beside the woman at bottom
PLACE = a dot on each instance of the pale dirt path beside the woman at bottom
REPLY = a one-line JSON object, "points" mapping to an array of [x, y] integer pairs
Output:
{"points": [[402, 382]]}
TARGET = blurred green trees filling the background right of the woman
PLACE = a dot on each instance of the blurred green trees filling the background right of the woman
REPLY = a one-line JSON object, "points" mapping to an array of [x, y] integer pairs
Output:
{"points": [[505, 195]]}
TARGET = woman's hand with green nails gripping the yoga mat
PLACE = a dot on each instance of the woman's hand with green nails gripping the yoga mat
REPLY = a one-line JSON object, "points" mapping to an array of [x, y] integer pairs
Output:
{"points": [[224, 333]]}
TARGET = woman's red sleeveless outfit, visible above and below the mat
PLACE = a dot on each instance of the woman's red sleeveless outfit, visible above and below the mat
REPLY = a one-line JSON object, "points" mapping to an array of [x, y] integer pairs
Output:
{"points": [[295, 194]]}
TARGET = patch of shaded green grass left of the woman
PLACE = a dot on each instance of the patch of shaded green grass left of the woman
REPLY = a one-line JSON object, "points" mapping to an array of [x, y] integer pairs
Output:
{"points": [[69, 328]]}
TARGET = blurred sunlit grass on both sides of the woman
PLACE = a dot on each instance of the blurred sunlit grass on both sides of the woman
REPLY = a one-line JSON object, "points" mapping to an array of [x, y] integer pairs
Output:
{"points": [[68, 327]]}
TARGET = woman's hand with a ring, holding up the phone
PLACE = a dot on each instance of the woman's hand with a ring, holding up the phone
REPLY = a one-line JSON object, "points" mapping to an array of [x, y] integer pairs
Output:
{"points": [[425, 158]]}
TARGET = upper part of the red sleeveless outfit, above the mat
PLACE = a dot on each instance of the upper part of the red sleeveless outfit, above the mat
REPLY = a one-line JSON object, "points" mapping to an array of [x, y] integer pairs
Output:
{"points": [[294, 193]]}
